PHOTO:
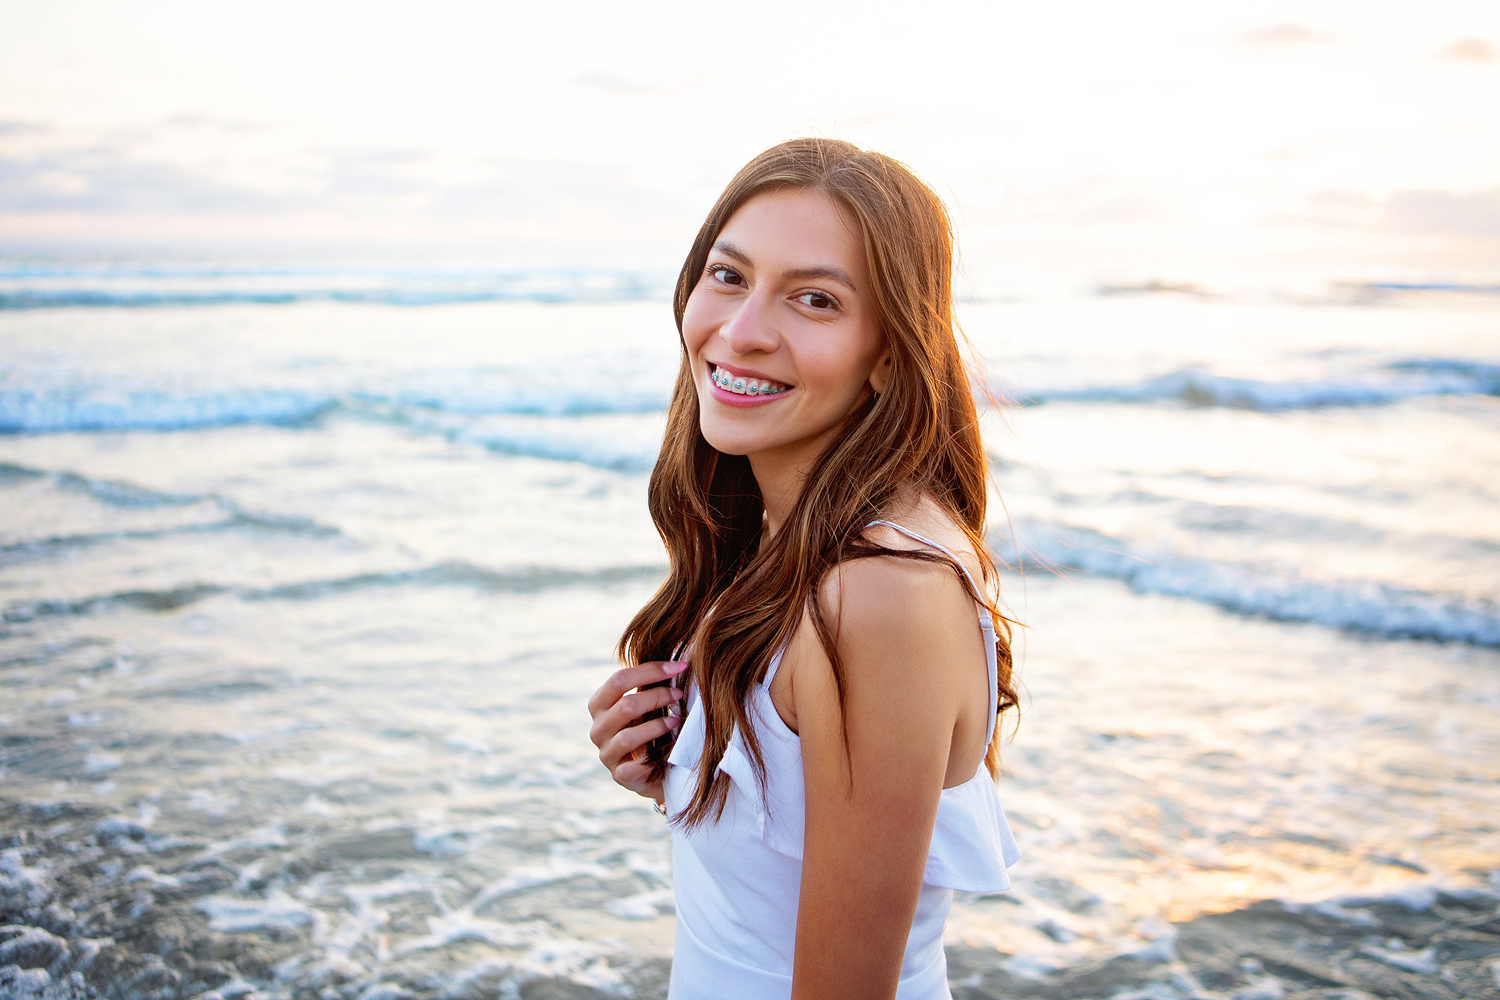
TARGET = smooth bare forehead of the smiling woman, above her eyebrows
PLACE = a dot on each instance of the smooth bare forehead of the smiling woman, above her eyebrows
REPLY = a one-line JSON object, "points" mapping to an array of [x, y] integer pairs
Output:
{"points": [[797, 229]]}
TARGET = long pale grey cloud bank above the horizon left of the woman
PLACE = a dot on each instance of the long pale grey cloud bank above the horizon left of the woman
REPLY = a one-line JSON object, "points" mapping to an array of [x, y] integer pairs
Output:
{"points": [[157, 172]]}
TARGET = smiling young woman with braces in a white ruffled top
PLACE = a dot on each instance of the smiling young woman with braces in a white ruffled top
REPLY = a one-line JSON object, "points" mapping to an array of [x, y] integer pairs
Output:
{"points": [[820, 677]]}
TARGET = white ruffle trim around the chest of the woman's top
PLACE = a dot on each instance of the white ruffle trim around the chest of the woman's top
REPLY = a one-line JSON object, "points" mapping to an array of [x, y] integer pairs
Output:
{"points": [[971, 848]]}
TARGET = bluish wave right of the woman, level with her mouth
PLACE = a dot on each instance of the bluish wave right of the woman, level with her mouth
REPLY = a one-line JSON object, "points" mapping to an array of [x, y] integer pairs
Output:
{"points": [[1201, 388]]}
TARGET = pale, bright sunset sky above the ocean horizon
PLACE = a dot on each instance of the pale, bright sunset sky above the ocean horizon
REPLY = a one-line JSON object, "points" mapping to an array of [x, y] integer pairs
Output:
{"points": [[1160, 139]]}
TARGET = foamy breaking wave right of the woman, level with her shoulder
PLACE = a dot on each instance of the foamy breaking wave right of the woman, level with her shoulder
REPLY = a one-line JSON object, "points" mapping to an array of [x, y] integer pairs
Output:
{"points": [[1279, 594]]}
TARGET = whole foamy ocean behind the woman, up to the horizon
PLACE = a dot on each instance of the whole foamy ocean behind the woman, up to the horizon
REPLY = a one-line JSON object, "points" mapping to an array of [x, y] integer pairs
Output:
{"points": [[307, 573]]}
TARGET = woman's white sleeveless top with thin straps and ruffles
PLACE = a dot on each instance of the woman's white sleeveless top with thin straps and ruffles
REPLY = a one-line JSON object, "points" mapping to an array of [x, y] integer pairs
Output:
{"points": [[739, 881]]}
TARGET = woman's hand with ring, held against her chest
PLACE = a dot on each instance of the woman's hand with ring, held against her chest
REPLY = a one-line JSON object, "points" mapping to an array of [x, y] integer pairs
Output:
{"points": [[619, 731]]}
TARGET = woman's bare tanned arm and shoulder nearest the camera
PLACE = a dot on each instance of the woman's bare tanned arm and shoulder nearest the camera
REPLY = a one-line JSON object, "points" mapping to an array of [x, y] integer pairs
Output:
{"points": [[907, 639]]}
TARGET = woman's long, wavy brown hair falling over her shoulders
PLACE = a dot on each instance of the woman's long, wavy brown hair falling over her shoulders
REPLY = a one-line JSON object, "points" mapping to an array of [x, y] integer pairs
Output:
{"points": [[737, 602]]}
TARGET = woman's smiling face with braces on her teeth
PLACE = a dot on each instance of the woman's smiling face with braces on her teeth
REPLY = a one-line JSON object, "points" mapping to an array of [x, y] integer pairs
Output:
{"points": [[781, 328]]}
